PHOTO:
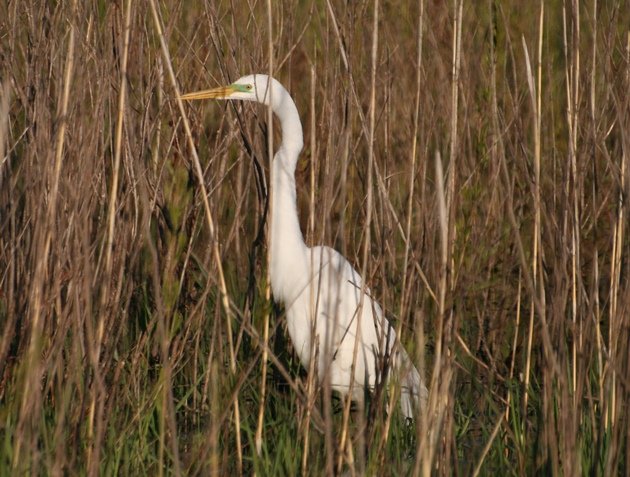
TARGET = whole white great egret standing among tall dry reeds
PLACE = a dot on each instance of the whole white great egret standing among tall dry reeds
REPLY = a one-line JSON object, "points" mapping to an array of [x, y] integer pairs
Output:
{"points": [[319, 288]]}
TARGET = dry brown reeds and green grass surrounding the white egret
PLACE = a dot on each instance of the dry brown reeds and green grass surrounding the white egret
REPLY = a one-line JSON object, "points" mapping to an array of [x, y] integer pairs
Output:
{"points": [[130, 330]]}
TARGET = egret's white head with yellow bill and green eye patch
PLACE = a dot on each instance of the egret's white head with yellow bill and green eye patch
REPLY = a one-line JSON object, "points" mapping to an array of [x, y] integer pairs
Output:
{"points": [[247, 88]]}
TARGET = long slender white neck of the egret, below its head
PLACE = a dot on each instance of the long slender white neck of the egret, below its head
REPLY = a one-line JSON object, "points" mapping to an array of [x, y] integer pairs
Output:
{"points": [[288, 250]]}
